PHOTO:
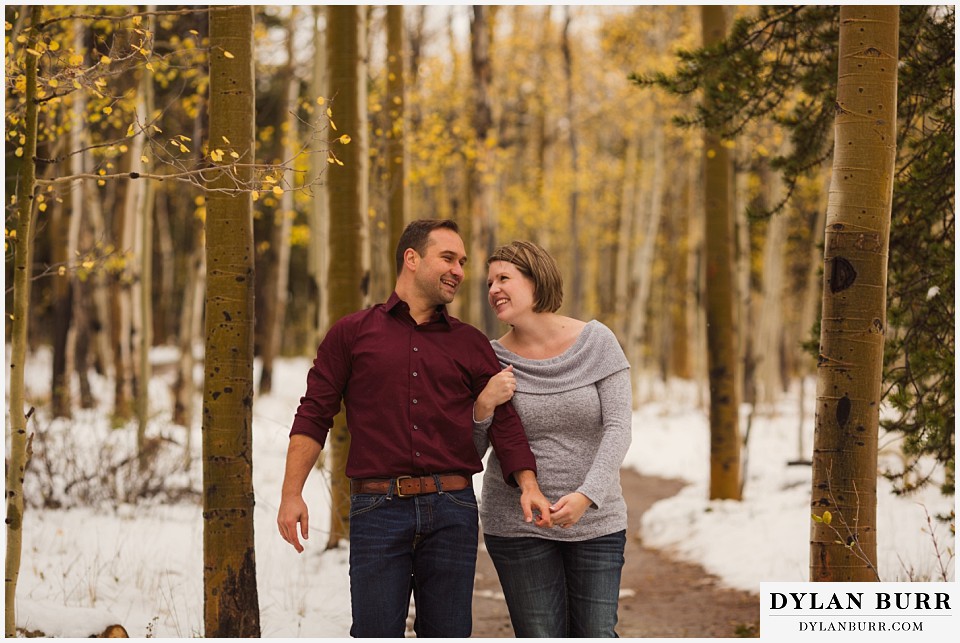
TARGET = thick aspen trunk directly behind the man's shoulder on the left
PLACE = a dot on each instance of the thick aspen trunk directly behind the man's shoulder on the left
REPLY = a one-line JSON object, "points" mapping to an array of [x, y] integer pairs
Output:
{"points": [[348, 208]]}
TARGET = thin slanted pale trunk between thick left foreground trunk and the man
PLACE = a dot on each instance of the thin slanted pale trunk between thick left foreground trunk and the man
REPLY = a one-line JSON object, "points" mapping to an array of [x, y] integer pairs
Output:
{"points": [[278, 265]]}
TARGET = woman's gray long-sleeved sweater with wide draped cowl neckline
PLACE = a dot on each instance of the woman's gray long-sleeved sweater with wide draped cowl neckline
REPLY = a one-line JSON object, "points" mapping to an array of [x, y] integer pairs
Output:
{"points": [[576, 410]]}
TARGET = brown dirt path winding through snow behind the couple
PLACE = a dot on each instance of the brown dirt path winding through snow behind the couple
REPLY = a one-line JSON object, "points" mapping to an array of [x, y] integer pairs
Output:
{"points": [[660, 597]]}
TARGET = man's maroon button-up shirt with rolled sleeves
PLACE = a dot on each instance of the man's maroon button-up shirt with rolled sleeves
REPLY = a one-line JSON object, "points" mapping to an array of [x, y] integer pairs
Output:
{"points": [[409, 392]]}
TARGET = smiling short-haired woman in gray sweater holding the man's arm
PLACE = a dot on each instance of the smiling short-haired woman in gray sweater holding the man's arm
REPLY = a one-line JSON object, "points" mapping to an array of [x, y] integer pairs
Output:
{"points": [[569, 381]]}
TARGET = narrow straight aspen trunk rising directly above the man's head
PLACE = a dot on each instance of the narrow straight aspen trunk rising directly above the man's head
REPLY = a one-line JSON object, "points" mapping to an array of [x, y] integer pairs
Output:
{"points": [[396, 112]]}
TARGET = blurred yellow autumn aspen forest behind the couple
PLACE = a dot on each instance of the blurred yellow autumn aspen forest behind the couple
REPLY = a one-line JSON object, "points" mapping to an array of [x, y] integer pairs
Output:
{"points": [[550, 123]]}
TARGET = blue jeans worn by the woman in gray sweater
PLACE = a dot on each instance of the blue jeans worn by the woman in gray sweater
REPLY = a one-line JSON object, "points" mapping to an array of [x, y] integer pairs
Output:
{"points": [[560, 589]]}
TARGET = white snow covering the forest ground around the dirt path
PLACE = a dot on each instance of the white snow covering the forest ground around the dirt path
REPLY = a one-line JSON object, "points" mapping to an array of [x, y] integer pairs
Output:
{"points": [[141, 565]]}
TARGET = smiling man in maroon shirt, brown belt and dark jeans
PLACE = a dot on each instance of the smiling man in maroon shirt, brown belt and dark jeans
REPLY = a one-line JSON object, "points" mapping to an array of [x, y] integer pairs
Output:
{"points": [[409, 375]]}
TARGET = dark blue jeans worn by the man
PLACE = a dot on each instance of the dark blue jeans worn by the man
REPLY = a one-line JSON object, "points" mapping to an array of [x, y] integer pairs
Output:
{"points": [[423, 544]]}
